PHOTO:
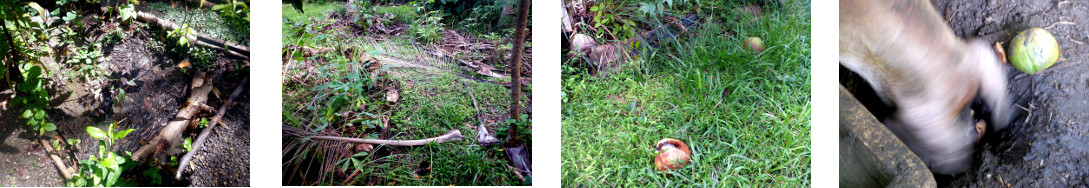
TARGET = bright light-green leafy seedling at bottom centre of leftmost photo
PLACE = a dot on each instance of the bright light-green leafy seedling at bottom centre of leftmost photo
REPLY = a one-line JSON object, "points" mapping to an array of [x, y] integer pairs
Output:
{"points": [[105, 169]]}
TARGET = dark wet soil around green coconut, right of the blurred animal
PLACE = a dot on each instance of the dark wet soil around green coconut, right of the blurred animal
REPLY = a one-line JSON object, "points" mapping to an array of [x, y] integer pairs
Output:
{"points": [[1048, 143]]}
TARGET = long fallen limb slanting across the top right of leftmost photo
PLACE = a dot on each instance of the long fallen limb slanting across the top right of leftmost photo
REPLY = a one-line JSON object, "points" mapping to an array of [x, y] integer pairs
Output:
{"points": [[226, 47]]}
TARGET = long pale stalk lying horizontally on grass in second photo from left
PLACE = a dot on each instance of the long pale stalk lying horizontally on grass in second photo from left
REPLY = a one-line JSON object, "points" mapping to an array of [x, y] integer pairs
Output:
{"points": [[454, 135]]}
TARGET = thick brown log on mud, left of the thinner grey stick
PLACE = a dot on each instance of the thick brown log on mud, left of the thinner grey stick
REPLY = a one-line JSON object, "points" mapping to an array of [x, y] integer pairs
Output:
{"points": [[172, 135]]}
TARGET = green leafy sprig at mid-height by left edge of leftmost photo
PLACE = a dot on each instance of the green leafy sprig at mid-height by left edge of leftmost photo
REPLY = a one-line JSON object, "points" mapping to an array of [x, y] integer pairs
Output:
{"points": [[34, 99]]}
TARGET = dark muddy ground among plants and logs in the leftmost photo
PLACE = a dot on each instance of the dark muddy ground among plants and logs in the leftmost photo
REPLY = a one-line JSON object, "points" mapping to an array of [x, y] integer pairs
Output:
{"points": [[161, 90]]}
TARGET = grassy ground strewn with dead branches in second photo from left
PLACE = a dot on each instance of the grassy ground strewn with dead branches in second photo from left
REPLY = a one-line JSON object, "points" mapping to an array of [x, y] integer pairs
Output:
{"points": [[433, 103]]}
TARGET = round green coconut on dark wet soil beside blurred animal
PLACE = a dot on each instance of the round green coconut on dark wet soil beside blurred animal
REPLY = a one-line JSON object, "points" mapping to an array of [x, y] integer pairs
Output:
{"points": [[1034, 51]]}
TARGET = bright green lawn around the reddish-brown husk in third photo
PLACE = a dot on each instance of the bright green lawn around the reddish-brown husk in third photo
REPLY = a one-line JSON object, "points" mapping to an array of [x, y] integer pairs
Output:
{"points": [[757, 136]]}
